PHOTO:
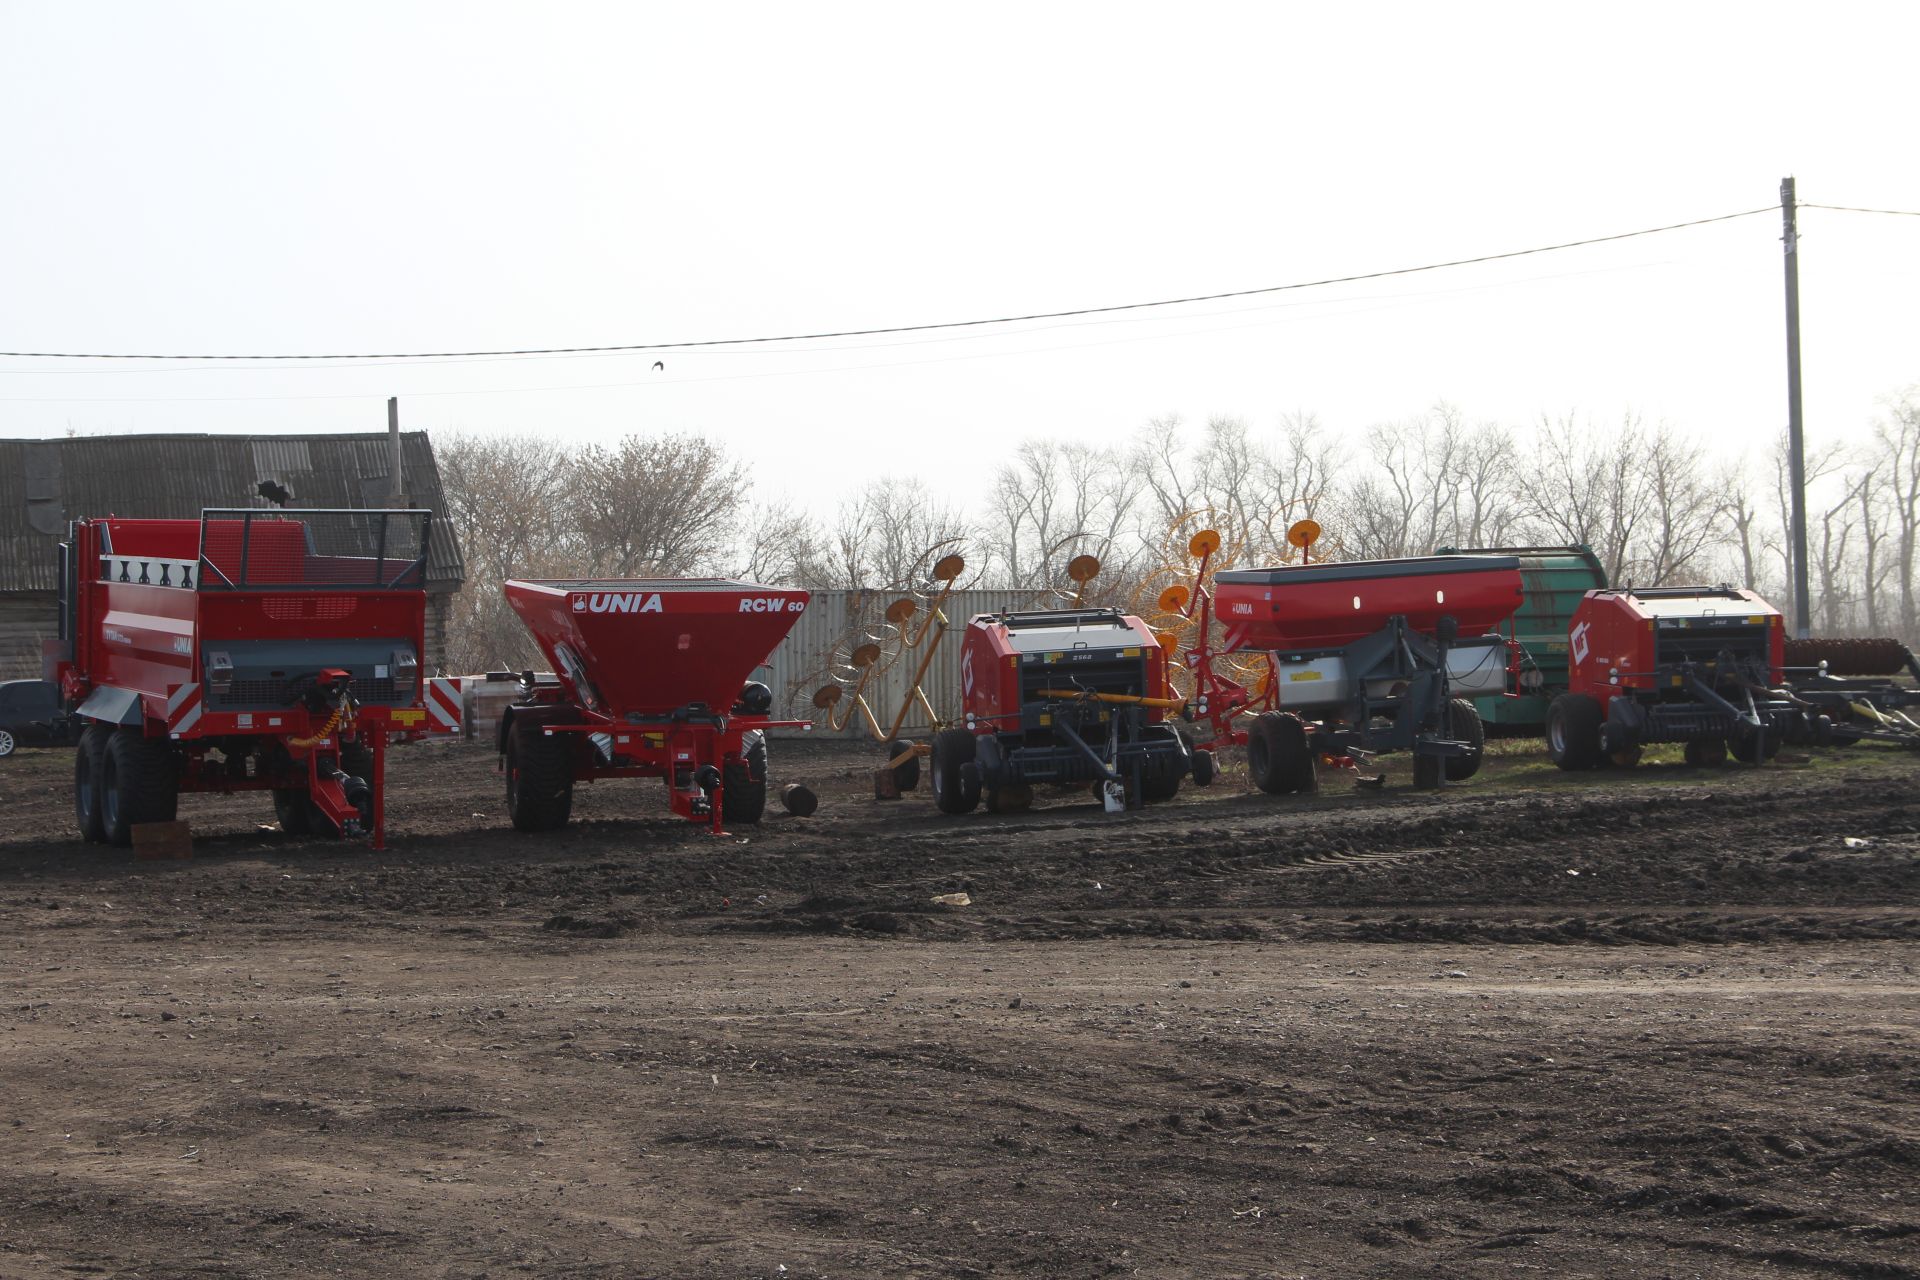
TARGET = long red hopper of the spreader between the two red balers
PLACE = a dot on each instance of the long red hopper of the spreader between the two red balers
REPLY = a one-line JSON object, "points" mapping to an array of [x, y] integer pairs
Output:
{"points": [[1303, 607]]}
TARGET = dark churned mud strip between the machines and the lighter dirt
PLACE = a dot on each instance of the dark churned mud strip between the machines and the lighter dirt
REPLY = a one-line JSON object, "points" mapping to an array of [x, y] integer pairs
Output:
{"points": [[1625, 863]]}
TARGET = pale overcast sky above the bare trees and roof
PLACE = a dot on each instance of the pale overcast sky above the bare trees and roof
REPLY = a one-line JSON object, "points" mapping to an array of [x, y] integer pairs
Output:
{"points": [[431, 178]]}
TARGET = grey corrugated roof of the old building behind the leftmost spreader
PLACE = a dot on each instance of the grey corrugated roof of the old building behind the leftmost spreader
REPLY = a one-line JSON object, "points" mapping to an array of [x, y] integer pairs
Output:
{"points": [[180, 477]]}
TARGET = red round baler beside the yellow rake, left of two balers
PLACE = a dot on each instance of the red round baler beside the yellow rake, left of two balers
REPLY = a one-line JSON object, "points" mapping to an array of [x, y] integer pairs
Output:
{"points": [[1063, 696]]}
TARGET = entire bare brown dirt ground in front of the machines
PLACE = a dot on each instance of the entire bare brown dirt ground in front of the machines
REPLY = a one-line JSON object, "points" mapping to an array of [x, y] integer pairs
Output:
{"points": [[1656, 1024]]}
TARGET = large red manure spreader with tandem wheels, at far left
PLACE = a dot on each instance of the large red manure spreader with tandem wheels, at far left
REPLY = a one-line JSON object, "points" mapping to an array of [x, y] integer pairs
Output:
{"points": [[245, 652]]}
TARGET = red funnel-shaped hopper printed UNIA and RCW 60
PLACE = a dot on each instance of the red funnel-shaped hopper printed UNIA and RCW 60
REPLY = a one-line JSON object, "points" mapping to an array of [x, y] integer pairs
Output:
{"points": [[654, 646]]}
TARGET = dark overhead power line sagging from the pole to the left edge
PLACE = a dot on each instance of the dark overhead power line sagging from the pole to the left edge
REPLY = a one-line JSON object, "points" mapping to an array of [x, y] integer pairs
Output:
{"points": [[903, 329]]}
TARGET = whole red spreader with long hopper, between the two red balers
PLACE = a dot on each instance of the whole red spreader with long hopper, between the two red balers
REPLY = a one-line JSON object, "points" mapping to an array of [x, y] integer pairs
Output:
{"points": [[1345, 661]]}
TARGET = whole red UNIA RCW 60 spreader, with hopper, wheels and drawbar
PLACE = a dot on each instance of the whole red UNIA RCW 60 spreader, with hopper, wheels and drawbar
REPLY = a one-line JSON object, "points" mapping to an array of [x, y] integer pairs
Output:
{"points": [[650, 680]]}
